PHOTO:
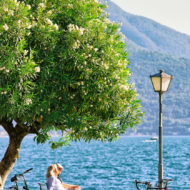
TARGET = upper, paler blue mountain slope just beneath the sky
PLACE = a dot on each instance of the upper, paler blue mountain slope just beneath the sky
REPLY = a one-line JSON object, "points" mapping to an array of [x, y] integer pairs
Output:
{"points": [[149, 34]]}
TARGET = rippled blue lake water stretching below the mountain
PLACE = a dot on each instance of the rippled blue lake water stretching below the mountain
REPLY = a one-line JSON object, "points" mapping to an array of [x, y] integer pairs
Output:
{"points": [[106, 166]]}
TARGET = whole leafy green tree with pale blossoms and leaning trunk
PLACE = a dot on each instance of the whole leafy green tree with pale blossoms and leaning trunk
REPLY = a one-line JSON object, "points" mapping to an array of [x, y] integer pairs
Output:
{"points": [[63, 67]]}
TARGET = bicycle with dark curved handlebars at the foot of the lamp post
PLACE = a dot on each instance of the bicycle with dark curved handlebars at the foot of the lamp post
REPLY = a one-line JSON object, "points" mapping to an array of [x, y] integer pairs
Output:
{"points": [[148, 185]]}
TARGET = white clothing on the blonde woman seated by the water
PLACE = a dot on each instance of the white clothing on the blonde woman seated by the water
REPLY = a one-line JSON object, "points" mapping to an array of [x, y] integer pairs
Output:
{"points": [[54, 184]]}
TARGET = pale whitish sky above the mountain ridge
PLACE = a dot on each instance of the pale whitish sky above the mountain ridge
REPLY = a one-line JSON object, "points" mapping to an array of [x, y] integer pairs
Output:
{"points": [[172, 13]]}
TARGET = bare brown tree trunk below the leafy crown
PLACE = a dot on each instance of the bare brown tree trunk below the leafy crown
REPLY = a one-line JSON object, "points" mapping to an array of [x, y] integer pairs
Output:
{"points": [[10, 157]]}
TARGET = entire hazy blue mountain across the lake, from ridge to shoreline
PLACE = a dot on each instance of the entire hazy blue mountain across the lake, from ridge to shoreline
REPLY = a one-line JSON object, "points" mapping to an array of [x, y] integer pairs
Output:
{"points": [[152, 47]]}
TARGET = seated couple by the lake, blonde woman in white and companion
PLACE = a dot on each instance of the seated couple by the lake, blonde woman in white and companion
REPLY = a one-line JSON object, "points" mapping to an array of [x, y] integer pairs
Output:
{"points": [[53, 180]]}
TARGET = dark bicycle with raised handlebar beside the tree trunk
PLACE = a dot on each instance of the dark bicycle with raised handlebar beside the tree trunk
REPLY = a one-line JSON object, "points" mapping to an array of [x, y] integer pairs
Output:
{"points": [[16, 178]]}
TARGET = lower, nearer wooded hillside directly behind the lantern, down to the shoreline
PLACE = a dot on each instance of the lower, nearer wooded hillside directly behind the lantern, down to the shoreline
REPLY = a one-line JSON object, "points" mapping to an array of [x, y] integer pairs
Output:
{"points": [[176, 112]]}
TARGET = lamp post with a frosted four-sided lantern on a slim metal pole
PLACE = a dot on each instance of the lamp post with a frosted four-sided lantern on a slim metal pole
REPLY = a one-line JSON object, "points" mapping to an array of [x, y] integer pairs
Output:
{"points": [[161, 82]]}
